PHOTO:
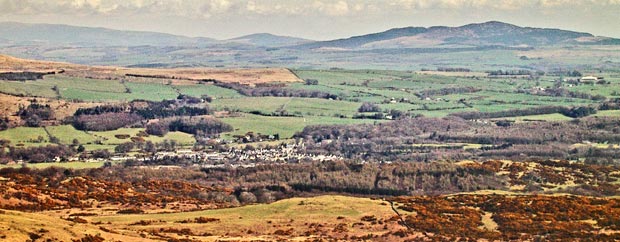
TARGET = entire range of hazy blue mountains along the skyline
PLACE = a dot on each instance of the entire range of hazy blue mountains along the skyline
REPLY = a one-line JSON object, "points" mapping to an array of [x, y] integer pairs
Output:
{"points": [[472, 35]]}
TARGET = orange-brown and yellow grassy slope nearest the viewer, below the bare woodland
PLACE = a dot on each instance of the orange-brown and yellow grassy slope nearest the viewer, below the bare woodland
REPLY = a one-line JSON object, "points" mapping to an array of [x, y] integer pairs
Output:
{"points": [[489, 217]]}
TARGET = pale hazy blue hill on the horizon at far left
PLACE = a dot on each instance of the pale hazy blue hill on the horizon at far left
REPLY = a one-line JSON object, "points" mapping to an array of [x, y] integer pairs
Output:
{"points": [[86, 36]]}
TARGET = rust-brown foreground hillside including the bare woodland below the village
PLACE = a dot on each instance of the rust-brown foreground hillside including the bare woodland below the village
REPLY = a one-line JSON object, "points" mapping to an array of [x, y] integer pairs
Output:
{"points": [[493, 200]]}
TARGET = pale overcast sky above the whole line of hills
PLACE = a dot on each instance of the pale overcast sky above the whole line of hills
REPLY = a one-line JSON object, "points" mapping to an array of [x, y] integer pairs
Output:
{"points": [[313, 19]]}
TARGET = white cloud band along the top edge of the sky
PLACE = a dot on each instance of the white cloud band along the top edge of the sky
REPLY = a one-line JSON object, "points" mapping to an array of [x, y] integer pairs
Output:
{"points": [[207, 8]]}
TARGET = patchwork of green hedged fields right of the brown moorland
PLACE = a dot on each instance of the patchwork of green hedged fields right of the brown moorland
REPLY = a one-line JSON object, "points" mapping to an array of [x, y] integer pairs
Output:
{"points": [[493, 94]]}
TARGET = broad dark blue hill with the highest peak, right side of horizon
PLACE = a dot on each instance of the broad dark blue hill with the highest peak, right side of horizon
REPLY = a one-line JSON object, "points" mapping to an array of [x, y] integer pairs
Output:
{"points": [[479, 34]]}
